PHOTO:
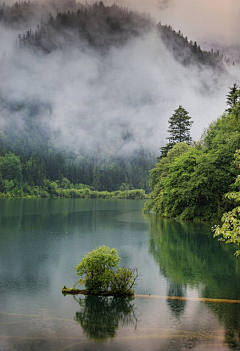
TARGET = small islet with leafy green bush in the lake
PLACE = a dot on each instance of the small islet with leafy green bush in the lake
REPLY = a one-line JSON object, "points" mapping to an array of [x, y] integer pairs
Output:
{"points": [[100, 274]]}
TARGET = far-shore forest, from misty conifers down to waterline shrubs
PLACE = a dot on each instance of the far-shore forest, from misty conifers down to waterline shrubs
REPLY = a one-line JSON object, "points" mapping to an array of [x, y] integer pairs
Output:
{"points": [[47, 172]]}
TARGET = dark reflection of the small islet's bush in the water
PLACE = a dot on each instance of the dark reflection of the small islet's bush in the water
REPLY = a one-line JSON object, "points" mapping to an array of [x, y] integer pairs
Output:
{"points": [[100, 316]]}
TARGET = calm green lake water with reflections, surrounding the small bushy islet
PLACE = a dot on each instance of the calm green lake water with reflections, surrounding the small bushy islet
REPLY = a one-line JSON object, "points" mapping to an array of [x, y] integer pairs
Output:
{"points": [[41, 241]]}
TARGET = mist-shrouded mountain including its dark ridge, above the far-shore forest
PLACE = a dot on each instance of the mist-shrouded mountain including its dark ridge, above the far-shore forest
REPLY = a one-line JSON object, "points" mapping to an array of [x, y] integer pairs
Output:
{"points": [[101, 80]]}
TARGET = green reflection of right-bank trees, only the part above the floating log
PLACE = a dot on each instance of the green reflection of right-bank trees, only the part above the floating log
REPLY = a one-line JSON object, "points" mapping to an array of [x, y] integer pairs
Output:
{"points": [[190, 257]]}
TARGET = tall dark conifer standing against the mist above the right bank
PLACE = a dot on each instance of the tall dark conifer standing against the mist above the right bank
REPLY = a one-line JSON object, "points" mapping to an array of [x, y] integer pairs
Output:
{"points": [[179, 129]]}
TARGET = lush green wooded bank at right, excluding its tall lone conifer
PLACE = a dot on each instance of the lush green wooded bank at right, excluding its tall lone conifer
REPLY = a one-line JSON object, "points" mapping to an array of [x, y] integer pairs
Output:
{"points": [[190, 181]]}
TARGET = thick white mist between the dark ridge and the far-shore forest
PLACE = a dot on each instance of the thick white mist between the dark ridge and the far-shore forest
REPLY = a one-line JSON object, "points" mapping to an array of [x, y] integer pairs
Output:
{"points": [[119, 101]]}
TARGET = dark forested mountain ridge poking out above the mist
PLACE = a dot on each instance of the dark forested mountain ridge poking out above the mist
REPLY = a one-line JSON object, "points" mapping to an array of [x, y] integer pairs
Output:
{"points": [[102, 27]]}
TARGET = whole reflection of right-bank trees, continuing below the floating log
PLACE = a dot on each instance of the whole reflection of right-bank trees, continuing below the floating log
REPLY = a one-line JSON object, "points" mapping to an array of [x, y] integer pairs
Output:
{"points": [[189, 256]]}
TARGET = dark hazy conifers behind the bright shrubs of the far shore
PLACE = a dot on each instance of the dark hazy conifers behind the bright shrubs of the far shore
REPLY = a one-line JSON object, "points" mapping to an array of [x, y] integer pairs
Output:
{"points": [[103, 172]]}
